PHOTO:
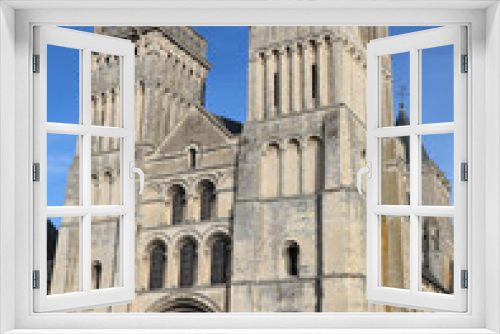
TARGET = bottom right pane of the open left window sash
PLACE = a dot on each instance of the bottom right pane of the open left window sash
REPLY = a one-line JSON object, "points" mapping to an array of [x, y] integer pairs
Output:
{"points": [[105, 235]]}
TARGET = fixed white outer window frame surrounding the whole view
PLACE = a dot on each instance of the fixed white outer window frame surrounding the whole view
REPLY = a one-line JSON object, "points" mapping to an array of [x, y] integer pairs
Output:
{"points": [[484, 103]]}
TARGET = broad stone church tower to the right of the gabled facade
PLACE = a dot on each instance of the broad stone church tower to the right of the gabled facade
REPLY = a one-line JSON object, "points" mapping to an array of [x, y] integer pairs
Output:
{"points": [[299, 221]]}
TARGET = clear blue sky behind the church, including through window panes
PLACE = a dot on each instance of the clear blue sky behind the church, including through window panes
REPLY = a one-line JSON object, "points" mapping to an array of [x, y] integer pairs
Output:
{"points": [[226, 94]]}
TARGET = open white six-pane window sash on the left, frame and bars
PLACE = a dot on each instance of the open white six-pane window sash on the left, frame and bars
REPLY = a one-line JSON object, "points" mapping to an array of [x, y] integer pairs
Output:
{"points": [[85, 43]]}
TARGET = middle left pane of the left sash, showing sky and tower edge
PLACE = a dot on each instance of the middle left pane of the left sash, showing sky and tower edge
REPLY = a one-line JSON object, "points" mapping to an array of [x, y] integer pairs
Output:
{"points": [[63, 170]]}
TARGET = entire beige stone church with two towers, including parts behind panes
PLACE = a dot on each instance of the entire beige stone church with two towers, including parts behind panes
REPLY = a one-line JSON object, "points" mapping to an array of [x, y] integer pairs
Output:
{"points": [[255, 217]]}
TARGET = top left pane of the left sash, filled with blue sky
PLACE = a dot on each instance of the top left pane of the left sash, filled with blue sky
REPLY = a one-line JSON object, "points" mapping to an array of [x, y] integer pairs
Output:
{"points": [[63, 85]]}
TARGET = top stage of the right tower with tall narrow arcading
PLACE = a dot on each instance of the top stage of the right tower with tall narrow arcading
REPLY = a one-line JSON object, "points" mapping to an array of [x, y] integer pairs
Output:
{"points": [[299, 69]]}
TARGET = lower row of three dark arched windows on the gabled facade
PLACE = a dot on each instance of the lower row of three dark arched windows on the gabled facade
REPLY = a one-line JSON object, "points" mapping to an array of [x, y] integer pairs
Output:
{"points": [[186, 260]]}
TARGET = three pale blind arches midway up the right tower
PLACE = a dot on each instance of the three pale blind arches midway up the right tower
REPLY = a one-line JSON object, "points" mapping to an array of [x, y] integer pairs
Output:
{"points": [[290, 168]]}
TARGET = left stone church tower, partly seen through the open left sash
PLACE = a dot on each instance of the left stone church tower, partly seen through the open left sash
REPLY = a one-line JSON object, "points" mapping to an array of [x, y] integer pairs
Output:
{"points": [[171, 70]]}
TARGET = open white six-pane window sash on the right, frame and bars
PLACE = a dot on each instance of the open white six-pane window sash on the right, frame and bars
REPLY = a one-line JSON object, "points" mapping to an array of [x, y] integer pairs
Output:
{"points": [[414, 43]]}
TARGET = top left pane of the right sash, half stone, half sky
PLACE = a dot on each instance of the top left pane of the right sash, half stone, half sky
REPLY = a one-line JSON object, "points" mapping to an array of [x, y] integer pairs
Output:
{"points": [[395, 94]]}
